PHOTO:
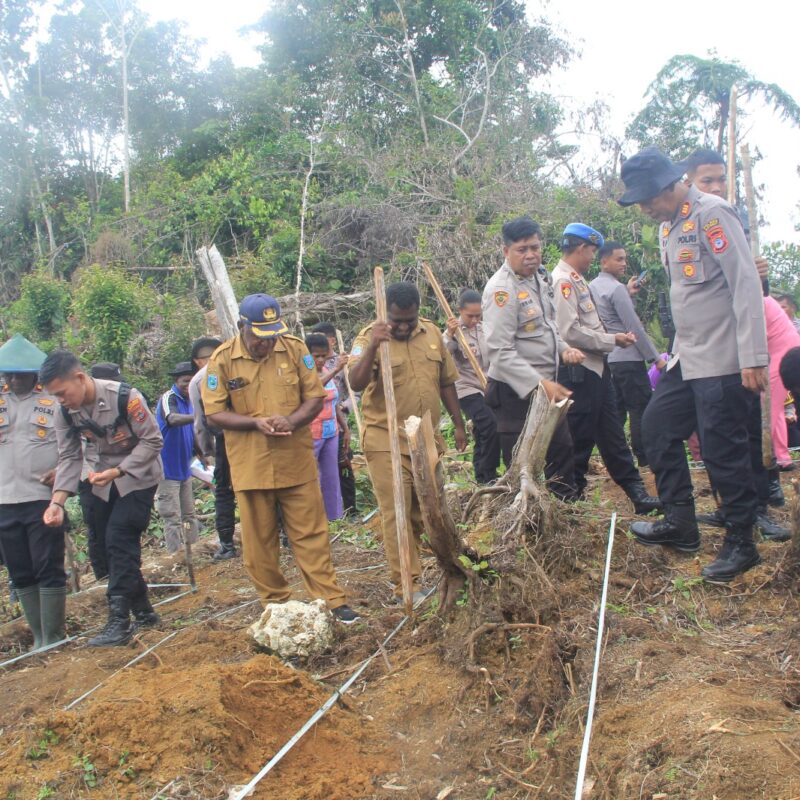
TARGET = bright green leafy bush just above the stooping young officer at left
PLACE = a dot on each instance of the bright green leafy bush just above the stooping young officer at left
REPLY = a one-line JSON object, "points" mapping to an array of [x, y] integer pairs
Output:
{"points": [[110, 307]]}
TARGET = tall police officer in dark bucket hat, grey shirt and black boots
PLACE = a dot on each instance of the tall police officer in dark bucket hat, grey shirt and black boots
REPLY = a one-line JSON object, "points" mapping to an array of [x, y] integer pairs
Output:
{"points": [[719, 366]]}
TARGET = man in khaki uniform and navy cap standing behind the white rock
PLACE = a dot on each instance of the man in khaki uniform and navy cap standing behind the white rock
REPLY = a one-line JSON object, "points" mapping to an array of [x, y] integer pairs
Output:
{"points": [[263, 390]]}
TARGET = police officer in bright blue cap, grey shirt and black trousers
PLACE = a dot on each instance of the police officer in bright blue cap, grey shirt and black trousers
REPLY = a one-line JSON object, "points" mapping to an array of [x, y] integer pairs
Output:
{"points": [[593, 417]]}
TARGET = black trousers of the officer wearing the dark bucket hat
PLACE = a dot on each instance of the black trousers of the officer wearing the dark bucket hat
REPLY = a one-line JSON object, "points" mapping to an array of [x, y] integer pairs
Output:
{"points": [[721, 410]]}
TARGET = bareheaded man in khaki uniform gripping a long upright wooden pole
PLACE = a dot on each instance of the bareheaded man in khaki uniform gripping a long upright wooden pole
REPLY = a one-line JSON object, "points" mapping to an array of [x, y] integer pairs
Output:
{"points": [[424, 377]]}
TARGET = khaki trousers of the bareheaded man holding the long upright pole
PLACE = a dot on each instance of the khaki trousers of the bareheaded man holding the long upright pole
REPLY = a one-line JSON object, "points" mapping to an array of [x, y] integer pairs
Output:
{"points": [[380, 472]]}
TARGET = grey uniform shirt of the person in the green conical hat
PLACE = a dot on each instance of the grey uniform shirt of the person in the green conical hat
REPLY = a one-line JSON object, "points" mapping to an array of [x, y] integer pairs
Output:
{"points": [[28, 446]]}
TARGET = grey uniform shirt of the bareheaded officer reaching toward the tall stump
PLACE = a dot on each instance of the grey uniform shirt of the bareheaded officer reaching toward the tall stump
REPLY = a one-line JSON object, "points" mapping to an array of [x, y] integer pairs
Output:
{"points": [[519, 324]]}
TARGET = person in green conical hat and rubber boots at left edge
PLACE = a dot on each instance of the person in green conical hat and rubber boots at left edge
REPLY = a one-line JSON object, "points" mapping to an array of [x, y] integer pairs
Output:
{"points": [[32, 552]]}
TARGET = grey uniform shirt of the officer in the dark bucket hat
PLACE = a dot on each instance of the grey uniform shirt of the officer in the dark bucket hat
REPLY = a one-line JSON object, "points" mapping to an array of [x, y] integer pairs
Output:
{"points": [[716, 296]]}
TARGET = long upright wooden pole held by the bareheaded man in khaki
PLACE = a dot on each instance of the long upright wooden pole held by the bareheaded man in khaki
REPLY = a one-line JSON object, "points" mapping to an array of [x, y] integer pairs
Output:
{"points": [[404, 543]]}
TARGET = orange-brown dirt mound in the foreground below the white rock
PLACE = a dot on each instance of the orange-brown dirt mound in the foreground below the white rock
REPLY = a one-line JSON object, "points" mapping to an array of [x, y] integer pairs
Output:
{"points": [[211, 724]]}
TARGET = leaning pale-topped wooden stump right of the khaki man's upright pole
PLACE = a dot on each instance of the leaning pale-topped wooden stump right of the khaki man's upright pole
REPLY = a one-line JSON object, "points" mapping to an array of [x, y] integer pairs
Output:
{"points": [[444, 539]]}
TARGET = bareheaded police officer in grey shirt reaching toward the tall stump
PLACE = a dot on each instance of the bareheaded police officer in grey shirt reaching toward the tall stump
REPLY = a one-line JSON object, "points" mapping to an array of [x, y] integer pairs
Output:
{"points": [[524, 348]]}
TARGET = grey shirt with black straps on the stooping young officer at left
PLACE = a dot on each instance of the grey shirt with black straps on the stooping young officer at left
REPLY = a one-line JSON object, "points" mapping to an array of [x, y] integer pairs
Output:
{"points": [[135, 447]]}
